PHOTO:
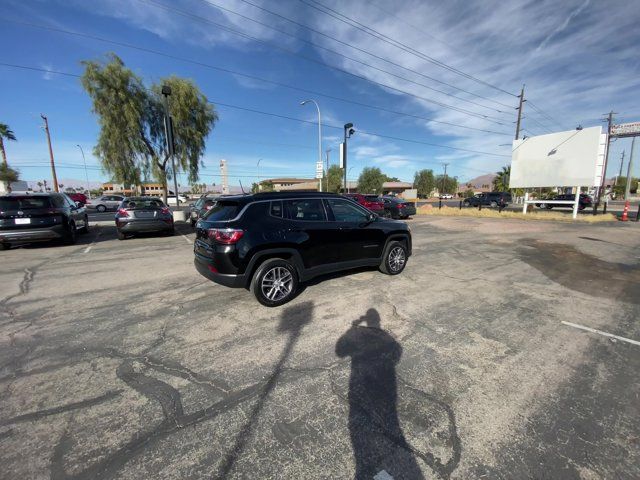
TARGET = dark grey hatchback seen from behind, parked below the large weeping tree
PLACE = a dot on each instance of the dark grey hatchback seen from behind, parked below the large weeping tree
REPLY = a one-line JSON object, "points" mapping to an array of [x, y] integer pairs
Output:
{"points": [[143, 214]]}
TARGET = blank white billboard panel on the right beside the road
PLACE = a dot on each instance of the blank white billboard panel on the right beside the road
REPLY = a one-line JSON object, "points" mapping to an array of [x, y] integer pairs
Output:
{"points": [[567, 159]]}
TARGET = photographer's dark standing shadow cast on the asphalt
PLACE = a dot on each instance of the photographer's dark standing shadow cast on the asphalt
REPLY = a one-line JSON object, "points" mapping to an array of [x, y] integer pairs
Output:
{"points": [[376, 436]]}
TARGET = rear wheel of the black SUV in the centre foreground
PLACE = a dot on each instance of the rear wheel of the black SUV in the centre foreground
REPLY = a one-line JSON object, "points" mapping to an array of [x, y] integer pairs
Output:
{"points": [[275, 282]]}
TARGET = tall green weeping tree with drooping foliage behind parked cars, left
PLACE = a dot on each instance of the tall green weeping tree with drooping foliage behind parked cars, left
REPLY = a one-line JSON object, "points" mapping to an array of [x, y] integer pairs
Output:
{"points": [[132, 136]]}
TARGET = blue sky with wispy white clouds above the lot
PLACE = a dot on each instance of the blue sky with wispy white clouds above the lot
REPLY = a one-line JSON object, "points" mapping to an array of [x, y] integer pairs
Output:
{"points": [[425, 83]]}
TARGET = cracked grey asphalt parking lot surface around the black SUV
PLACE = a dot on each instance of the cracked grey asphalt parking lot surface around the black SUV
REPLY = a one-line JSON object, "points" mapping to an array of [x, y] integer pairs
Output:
{"points": [[119, 361]]}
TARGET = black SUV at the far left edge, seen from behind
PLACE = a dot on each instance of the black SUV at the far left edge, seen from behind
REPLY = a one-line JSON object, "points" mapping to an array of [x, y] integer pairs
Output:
{"points": [[40, 217]]}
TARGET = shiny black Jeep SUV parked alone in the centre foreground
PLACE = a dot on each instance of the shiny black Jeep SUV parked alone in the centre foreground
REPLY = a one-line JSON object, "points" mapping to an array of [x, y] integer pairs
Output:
{"points": [[270, 242]]}
